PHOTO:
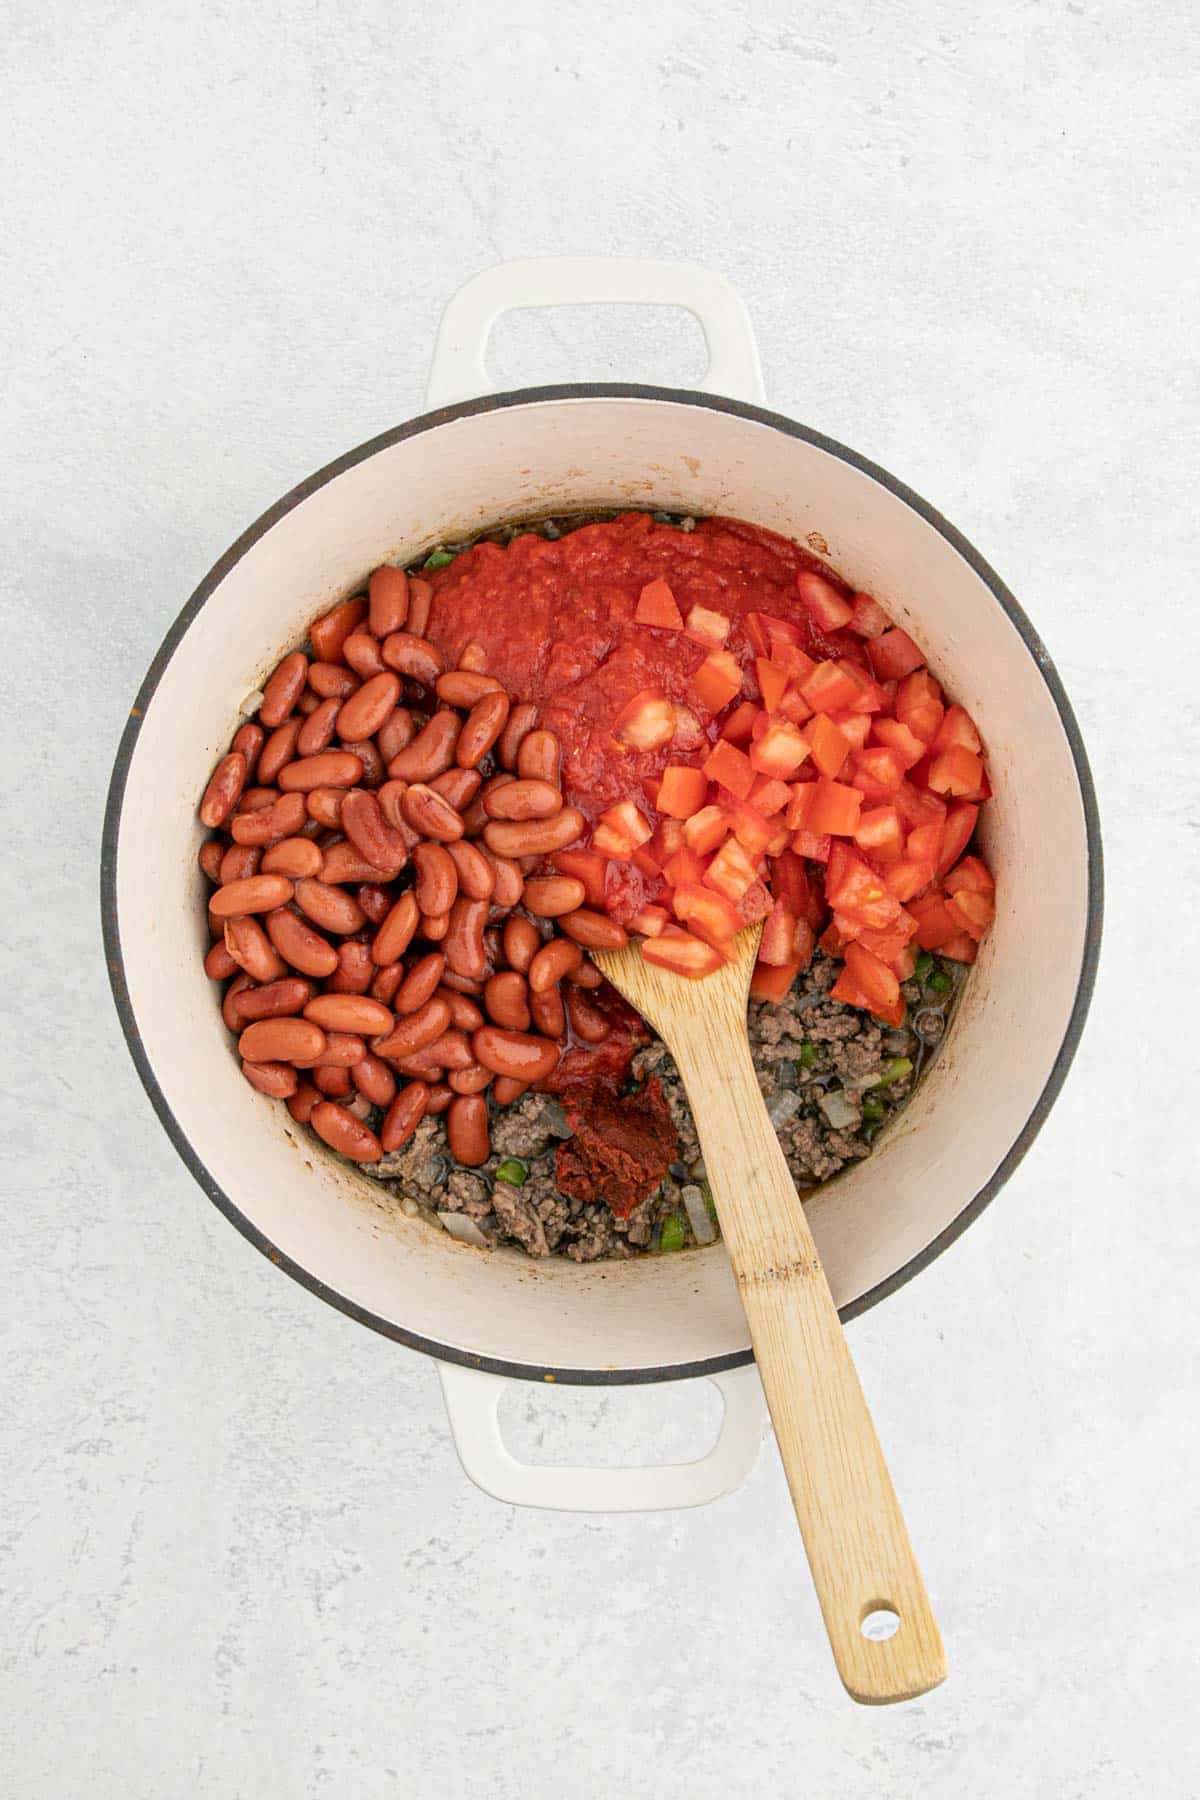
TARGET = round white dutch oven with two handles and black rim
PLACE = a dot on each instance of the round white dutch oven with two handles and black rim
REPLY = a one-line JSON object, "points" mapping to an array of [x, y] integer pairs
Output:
{"points": [[460, 469]]}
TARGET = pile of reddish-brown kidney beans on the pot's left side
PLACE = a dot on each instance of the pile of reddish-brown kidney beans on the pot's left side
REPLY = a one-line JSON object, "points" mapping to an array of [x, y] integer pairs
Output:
{"points": [[373, 913]]}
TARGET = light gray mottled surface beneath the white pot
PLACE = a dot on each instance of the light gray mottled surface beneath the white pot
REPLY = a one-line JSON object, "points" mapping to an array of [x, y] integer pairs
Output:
{"points": [[237, 1552]]}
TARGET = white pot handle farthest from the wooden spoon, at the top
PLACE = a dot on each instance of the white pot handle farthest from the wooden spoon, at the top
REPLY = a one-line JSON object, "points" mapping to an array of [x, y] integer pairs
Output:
{"points": [[458, 370]]}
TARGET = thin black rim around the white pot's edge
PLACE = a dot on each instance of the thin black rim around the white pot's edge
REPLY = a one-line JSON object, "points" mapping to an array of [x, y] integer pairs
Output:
{"points": [[472, 409]]}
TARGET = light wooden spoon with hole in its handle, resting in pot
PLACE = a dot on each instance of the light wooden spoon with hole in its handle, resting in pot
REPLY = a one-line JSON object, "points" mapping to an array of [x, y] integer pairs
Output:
{"points": [[845, 1502]]}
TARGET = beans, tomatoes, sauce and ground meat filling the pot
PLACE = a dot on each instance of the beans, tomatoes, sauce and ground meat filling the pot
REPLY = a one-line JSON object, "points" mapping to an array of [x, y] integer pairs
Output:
{"points": [[533, 748]]}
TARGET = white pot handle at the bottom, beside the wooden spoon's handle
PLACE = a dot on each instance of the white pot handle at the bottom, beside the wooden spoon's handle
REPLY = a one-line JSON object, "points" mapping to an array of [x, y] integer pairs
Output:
{"points": [[474, 1398]]}
